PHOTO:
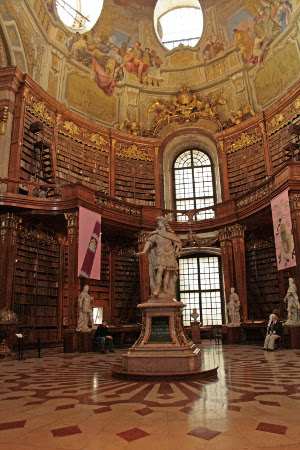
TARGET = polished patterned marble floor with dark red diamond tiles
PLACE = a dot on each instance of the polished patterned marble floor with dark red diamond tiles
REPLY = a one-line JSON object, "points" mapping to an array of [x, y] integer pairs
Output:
{"points": [[71, 402]]}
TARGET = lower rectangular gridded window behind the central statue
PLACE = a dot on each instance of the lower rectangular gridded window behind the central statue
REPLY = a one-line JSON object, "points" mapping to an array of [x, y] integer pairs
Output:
{"points": [[200, 287]]}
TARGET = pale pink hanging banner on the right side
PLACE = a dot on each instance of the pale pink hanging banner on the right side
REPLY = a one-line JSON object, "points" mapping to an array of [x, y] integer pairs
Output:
{"points": [[282, 224]]}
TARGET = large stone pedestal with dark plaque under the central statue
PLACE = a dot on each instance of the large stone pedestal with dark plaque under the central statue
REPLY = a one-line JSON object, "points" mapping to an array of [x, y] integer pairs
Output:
{"points": [[163, 349]]}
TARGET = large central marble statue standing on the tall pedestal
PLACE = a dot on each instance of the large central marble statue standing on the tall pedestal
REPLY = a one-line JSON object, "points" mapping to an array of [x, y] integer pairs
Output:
{"points": [[164, 249]]}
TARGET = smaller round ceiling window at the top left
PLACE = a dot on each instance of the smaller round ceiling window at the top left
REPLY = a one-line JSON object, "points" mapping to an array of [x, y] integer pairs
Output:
{"points": [[79, 15]]}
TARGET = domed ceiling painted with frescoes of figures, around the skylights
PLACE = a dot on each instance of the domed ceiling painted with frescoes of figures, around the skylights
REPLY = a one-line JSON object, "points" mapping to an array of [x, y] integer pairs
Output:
{"points": [[248, 54]]}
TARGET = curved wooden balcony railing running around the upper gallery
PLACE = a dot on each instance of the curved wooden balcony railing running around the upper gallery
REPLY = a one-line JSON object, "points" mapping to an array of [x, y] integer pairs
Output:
{"points": [[9, 187]]}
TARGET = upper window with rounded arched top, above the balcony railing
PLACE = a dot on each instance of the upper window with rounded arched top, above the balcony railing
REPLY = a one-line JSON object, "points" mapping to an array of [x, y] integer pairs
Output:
{"points": [[193, 181]]}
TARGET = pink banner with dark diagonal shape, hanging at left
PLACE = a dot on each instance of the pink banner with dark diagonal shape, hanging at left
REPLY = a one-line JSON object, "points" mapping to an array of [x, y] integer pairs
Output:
{"points": [[89, 244]]}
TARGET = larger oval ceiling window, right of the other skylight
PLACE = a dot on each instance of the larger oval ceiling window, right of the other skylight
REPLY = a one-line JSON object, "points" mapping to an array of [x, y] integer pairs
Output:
{"points": [[178, 22]]}
